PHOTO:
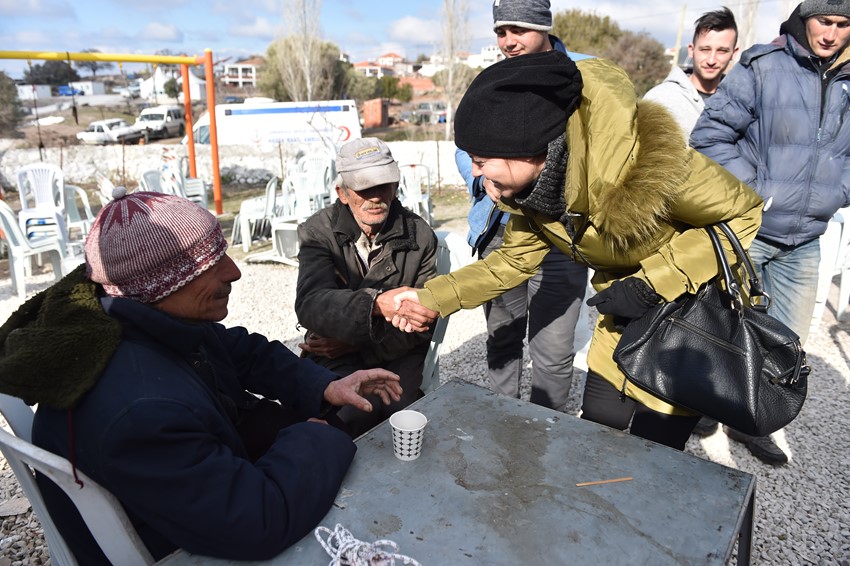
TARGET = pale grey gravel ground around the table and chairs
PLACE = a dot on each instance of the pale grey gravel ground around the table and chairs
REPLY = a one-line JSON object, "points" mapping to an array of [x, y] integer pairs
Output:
{"points": [[802, 509]]}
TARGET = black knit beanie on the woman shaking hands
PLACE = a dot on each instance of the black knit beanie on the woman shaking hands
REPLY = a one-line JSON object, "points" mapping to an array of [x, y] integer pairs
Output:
{"points": [[517, 106]]}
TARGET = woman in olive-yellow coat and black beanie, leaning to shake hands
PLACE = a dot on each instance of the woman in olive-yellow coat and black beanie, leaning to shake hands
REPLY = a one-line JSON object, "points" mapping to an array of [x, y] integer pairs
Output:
{"points": [[583, 166]]}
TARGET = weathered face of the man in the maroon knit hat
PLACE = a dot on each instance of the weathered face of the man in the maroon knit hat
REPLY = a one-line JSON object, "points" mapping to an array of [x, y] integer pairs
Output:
{"points": [[204, 298]]}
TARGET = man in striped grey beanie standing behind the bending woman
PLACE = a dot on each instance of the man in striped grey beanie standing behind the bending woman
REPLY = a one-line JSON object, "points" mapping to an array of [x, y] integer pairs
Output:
{"points": [[549, 312]]}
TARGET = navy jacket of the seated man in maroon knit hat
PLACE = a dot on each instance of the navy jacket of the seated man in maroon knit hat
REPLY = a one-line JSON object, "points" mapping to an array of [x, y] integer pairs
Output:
{"points": [[152, 429]]}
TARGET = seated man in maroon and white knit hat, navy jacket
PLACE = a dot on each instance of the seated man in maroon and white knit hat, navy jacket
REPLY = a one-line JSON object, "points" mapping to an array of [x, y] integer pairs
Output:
{"points": [[140, 388]]}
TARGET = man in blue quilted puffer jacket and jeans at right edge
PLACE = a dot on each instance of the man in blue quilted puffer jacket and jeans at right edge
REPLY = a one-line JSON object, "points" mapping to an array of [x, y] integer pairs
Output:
{"points": [[778, 122]]}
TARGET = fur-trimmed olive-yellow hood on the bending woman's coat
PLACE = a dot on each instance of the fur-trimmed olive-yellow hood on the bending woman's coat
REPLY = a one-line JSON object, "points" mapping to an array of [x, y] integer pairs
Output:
{"points": [[625, 165]]}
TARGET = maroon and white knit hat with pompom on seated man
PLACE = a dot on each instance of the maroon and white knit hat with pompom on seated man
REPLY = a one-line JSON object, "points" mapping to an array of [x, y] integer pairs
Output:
{"points": [[145, 246]]}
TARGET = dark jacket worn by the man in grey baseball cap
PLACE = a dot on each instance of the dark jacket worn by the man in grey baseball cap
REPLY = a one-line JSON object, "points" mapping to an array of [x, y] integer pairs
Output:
{"points": [[334, 297]]}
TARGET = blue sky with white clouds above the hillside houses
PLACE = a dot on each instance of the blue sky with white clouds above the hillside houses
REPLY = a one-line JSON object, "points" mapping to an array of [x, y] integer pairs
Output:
{"points": [[363, 28]]}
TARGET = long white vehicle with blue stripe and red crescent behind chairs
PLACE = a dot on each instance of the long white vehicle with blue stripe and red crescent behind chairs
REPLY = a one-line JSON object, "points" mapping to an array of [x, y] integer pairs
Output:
{"points": [[334, 121]]}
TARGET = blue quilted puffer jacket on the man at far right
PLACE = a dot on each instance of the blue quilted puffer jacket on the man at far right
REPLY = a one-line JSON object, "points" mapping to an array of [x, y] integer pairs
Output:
{"points": [[779, 123]]}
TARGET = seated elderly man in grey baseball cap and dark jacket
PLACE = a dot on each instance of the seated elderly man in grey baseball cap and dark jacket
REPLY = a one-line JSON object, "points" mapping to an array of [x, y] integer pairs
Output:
{"points": [[349, 254]]}
